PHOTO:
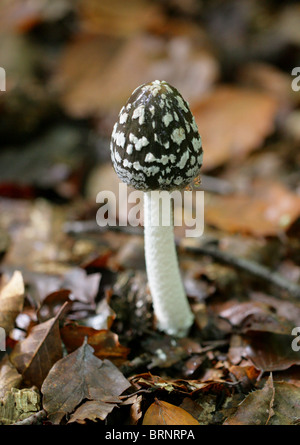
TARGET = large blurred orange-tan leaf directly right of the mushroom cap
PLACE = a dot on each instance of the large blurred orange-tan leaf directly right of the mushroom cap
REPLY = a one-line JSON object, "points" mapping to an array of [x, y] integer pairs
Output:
{"points": [[233, 122]]}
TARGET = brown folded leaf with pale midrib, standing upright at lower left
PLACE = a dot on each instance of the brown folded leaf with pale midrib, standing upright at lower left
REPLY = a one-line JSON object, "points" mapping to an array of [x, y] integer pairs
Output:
{"points": [[36, 354]]}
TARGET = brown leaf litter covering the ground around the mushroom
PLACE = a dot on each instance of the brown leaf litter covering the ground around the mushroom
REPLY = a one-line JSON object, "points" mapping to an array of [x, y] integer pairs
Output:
{"points": [[81, 338]]}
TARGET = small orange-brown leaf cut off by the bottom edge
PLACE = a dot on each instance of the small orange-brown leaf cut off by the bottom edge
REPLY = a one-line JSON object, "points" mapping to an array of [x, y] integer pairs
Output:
{"points": [[163, 413]]}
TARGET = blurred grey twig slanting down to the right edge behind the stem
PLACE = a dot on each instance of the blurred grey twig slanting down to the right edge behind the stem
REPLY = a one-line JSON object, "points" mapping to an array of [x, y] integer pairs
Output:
{"points": [[249, 266]]}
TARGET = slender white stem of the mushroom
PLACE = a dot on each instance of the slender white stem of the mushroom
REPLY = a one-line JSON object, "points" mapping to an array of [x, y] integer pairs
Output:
{"points": [[170, 303]]}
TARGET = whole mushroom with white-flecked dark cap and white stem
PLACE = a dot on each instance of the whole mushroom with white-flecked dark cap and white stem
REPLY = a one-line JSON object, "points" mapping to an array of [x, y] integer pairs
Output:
{"points": [[155, 146]]}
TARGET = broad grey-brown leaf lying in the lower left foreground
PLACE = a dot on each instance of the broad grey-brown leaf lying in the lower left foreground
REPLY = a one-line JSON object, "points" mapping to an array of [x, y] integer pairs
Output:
{"points": [[92, 379]]}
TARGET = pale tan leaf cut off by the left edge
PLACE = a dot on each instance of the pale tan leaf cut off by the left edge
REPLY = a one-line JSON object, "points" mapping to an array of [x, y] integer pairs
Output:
{"points": [[11, 301]]}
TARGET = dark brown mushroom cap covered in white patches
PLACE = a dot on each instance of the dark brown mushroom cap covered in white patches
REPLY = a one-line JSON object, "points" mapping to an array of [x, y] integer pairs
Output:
{"points": [[155, 144]]}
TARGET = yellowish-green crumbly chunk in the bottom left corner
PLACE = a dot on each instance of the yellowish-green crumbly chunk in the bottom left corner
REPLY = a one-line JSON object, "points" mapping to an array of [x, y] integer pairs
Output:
{"points": [[18, 405]]}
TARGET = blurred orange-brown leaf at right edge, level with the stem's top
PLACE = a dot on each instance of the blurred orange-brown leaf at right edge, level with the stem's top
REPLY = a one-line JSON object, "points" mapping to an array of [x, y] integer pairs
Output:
{"points": [[270, 209]]}
